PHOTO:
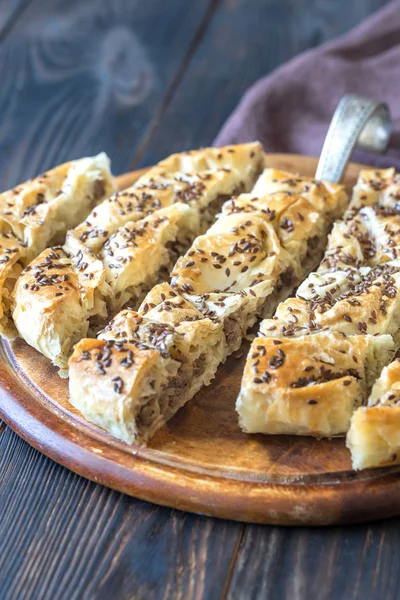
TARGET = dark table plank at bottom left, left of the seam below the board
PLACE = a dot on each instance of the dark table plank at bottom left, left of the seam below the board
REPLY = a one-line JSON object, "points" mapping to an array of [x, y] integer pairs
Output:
{"points": [[87, 542]]}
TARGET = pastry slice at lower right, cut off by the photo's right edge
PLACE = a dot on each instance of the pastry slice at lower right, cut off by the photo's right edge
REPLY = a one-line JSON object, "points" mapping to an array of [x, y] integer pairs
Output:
{"points": [[374, 435]]}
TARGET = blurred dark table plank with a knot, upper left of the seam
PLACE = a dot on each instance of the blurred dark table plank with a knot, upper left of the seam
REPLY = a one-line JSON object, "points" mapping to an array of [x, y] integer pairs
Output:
{"points": [[93, 75]]}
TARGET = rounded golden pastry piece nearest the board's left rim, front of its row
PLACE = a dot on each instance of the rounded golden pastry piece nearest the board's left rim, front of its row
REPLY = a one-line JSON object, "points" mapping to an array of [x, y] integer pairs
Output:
{"points": [[55, 298]]}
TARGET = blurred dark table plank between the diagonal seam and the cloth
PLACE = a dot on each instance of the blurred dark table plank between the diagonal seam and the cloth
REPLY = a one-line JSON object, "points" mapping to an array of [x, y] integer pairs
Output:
{"points": [[245, 40]]}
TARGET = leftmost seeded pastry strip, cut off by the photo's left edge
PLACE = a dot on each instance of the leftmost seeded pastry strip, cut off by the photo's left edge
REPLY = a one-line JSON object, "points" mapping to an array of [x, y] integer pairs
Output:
{"points": [[38, 213]]}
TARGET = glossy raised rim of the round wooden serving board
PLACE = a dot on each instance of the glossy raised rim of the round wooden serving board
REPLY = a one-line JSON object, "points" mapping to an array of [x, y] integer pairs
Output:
{"points": [[208, 495]]}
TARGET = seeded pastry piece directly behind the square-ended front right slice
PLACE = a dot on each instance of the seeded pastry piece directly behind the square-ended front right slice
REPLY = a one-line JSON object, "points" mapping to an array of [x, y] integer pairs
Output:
{"points": [[347, 301]]}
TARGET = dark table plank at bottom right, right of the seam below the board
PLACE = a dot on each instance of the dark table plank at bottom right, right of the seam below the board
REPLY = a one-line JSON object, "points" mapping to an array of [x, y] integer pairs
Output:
{"points": [[355, 562]]}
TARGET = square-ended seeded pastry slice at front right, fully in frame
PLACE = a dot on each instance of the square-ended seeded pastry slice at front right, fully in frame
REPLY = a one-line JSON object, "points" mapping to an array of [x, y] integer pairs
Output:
{"points": [[309, 385]]}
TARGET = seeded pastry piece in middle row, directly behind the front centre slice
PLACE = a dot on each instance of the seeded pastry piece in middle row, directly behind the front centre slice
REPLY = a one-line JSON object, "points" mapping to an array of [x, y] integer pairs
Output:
{"points": [[259, 250]]}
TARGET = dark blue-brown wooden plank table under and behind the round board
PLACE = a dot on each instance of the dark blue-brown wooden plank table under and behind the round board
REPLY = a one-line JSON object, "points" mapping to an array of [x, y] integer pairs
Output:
{"points": [[141, 79]]}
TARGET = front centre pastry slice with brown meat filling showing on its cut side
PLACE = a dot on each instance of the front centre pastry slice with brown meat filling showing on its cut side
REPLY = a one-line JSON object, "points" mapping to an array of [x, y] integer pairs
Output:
{"points": [[145, 366]]}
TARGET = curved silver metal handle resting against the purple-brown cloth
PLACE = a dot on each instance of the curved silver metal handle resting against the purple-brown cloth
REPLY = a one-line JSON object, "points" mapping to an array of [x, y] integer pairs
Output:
{"points": [[356, 121]]}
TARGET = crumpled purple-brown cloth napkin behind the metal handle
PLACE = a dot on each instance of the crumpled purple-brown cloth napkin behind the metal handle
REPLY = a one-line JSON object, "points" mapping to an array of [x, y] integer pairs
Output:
{"points": [[290, 109]]}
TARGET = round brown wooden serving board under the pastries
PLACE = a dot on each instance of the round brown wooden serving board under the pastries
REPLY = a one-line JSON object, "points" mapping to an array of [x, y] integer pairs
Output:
{"points": [[200, 461]]}
